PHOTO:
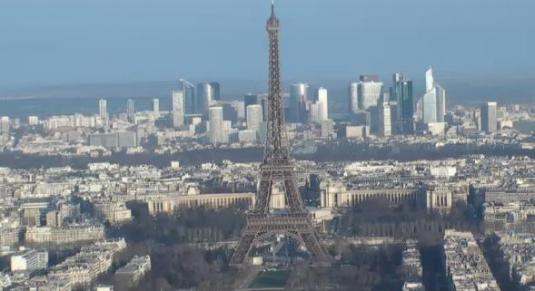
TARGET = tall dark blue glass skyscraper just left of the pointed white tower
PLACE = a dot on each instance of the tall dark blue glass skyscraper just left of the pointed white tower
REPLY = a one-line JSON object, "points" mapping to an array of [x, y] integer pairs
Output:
{"points": [[402, 94]]}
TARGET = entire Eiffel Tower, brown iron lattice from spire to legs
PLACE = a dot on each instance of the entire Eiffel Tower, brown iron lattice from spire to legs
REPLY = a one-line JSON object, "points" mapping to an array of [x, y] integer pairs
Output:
{"points": [[277, 167]]}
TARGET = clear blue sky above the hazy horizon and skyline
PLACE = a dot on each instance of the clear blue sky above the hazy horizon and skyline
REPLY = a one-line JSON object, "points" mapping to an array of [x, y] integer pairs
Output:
{"points": [[74, 41]]}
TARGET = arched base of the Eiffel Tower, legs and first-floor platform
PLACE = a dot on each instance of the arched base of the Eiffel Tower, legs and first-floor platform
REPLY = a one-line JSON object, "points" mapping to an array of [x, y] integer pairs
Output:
{"points": [[262, 227]]}
